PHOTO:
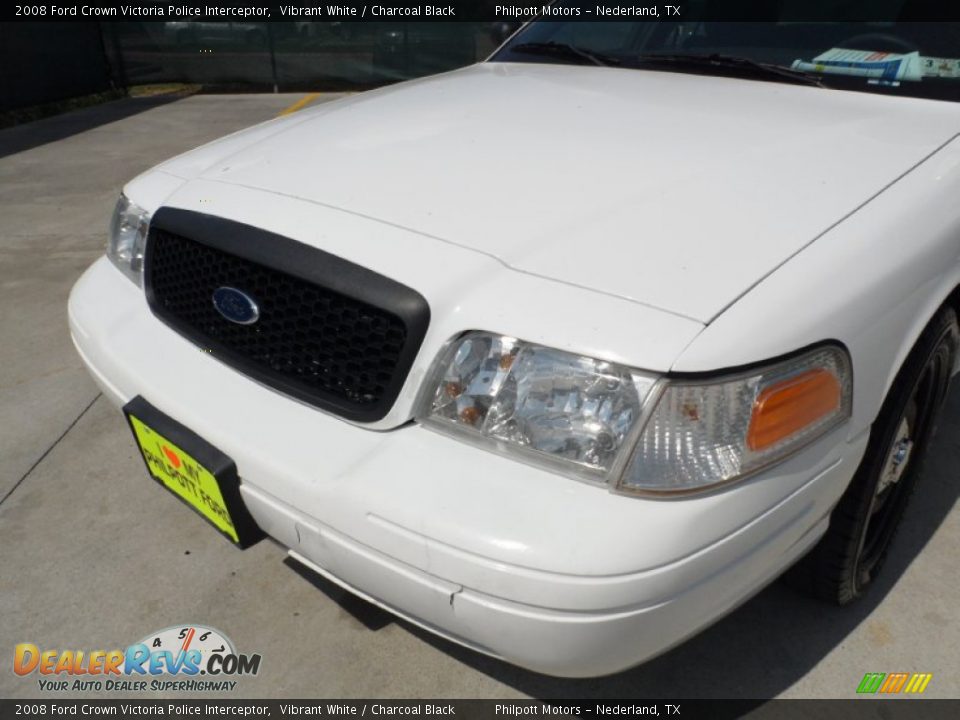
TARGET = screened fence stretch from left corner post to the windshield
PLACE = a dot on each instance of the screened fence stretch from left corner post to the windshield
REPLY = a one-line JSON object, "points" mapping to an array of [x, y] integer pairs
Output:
{"points": [[295, 55]]}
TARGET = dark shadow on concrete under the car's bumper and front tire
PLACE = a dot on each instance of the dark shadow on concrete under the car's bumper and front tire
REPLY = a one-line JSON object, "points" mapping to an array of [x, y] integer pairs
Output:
{"points": [[772, 641]]}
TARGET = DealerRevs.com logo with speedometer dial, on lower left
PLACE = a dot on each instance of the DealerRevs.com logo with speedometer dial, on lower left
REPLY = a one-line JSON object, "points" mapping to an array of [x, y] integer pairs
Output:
{"points": [[179, 658]]}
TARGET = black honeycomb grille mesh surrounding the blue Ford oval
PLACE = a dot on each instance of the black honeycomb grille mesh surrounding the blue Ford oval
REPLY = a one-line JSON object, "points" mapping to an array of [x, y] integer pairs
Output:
{"points": [[307, 335]]}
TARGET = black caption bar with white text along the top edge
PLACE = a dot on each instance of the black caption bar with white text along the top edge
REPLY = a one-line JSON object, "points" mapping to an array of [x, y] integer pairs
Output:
{"points": [[485, 11]]}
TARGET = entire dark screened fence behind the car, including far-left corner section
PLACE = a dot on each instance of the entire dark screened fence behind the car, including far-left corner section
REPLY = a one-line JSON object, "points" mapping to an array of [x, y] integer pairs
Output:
{"points": [[48, 61]]}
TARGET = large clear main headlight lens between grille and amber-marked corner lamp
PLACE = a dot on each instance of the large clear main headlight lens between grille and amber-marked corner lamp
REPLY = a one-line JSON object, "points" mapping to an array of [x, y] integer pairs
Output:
{"points": [[567, 411]]}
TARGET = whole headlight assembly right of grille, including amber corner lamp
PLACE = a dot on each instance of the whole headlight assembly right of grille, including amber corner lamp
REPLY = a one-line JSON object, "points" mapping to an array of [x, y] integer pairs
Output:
{"points": [[604, 422]]}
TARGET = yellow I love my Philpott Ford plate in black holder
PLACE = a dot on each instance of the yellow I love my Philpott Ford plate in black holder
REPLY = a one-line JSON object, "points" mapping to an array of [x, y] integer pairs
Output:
{"points": [[193, 470]]}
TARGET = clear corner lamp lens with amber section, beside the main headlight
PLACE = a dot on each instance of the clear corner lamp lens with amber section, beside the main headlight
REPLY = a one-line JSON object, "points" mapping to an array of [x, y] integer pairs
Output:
{"points": [[703, 434]]}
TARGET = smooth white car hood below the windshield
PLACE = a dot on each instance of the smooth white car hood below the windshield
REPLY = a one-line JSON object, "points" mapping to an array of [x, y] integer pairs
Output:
{"points": [[672, 190]]}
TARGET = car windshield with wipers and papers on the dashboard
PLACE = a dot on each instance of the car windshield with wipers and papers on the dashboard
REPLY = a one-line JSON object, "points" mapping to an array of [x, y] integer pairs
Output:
{"points": [[920, 59]]}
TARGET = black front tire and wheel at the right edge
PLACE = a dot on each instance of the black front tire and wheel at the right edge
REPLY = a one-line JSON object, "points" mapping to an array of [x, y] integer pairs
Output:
{"points": [[844, 564]]}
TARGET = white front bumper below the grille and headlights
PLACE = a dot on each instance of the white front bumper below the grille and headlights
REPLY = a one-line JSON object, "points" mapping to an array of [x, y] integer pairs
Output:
{"points": [[545, 572]]}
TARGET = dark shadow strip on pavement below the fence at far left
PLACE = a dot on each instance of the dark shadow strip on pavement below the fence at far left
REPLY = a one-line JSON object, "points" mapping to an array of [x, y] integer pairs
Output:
{"points": [[40, 132]]}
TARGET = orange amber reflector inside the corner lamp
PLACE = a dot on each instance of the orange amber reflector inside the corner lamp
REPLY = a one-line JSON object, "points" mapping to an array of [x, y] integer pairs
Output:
{"points": [[789, 406]]}
